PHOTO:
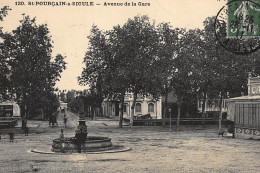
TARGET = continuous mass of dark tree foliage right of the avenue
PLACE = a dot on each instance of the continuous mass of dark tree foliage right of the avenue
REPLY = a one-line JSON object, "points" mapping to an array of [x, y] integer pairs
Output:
{"points": [[145, 59]]}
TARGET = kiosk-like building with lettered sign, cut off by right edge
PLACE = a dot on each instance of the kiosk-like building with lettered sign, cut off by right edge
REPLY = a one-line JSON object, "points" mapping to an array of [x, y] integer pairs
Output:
{"points": [[245, 111]]}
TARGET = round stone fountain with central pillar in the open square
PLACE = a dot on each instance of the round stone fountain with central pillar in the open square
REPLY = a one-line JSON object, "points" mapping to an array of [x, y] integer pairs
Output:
{"points": [[82, 142]]}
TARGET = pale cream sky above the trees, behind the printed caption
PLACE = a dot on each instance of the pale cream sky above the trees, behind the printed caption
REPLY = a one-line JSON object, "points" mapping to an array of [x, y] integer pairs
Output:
{"points": [[70, 25]]}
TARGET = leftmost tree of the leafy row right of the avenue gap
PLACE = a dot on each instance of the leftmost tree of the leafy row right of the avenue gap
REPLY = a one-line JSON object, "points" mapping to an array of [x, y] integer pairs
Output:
{"points": [[94, 73]]}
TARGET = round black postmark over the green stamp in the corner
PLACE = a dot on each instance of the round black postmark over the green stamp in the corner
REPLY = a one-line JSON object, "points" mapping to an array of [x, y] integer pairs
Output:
{"points": [[237, 26]]}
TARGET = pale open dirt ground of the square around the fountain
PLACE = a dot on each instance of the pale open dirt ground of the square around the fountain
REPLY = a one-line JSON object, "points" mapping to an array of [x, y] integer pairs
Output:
{"points": [[154, 149]]}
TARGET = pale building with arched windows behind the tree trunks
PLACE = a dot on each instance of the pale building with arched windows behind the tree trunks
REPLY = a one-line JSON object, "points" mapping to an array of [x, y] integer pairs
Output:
{"points": [[143, 106]]}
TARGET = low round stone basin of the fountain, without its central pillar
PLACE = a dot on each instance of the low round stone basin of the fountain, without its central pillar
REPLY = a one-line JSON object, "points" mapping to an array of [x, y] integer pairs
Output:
{"points": [[92, 144]]}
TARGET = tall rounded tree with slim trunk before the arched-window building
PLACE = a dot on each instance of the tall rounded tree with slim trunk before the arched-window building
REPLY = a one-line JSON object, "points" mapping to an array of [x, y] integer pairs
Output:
{"points": [[138, 45]]}
